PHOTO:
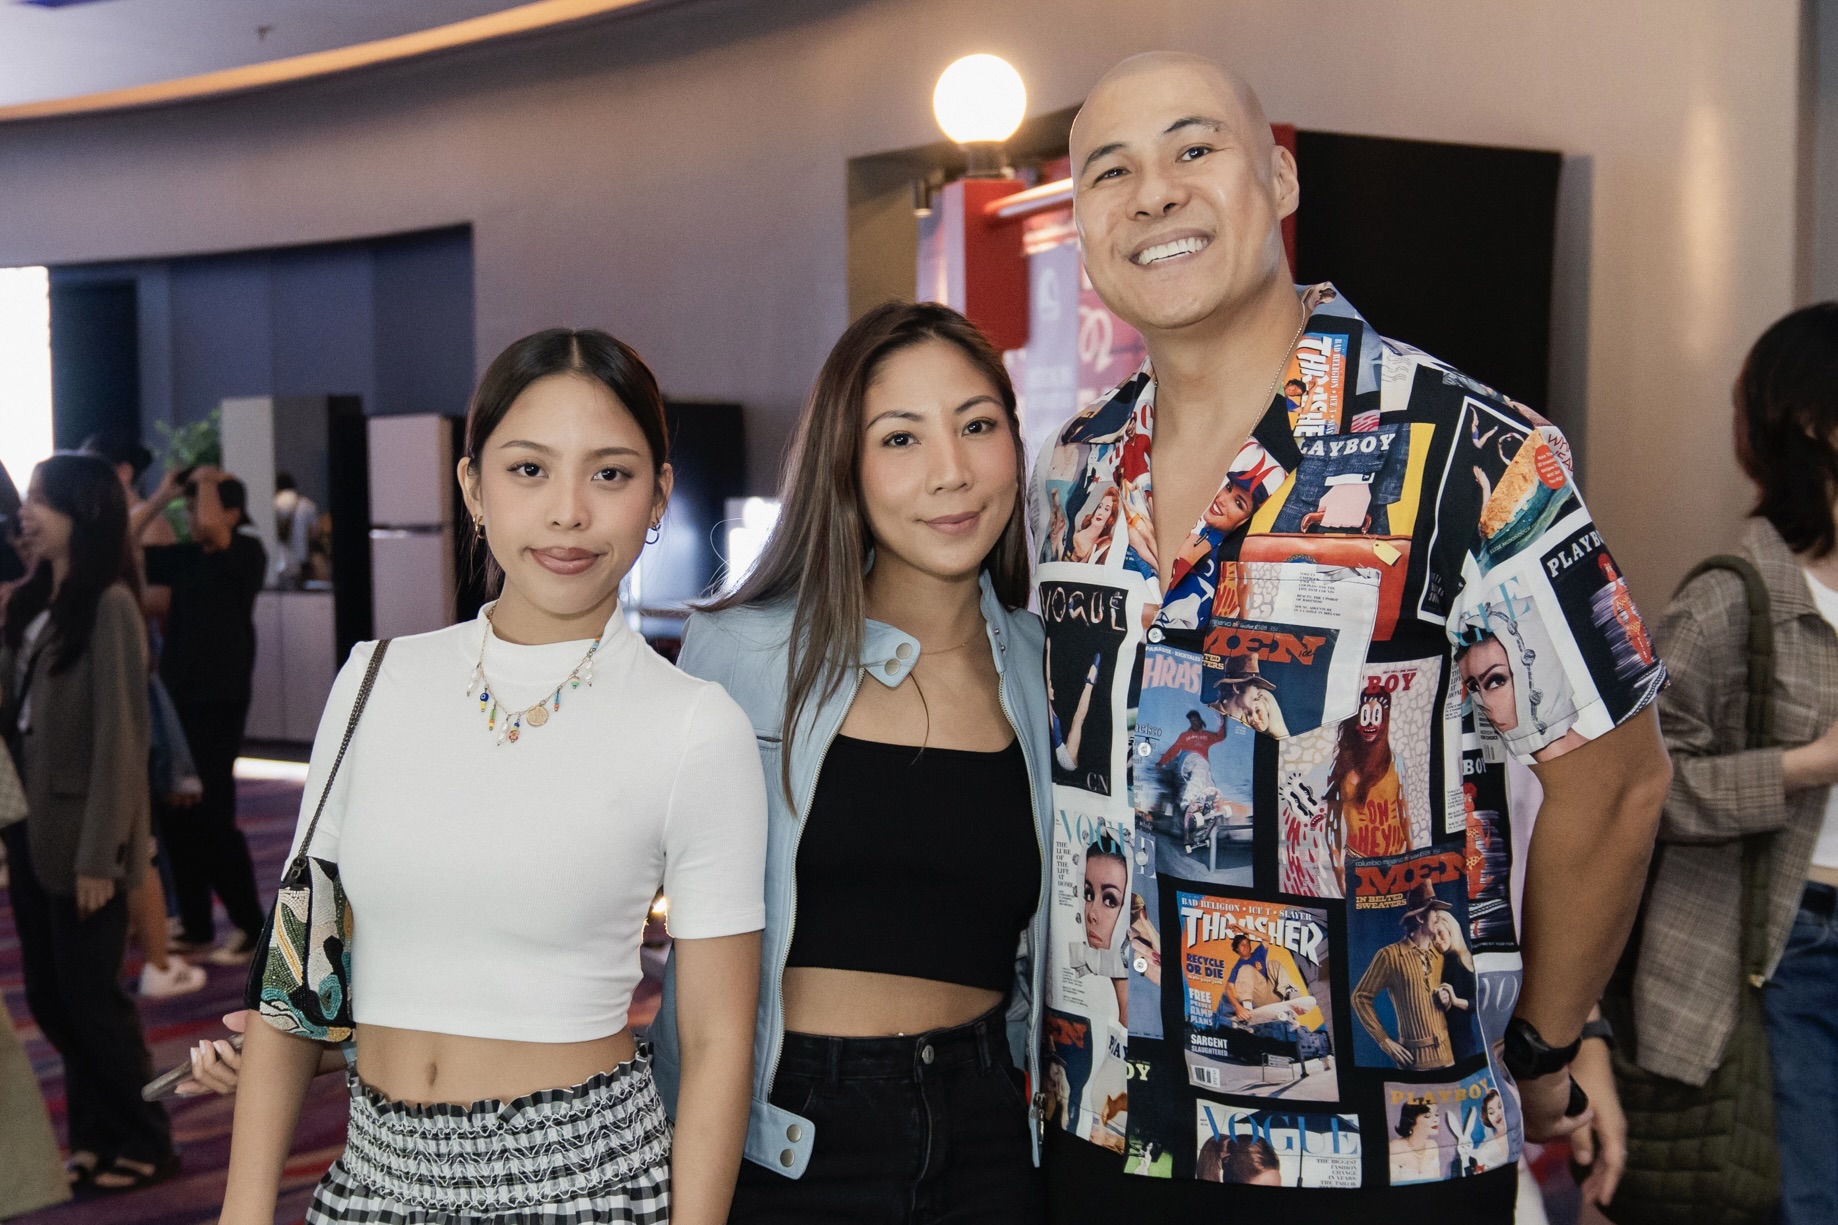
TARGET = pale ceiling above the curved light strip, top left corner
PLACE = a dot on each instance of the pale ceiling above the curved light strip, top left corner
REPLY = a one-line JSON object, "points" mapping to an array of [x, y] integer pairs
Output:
{"points": [[65, 49]]}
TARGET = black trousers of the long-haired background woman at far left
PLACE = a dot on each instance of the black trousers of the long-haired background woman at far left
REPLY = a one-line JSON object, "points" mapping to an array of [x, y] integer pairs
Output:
{"points": [[74, 992]]}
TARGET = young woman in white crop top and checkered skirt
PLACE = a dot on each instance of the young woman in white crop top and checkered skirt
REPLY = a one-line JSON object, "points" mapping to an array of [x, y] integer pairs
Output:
{"points": [[514, 797]]}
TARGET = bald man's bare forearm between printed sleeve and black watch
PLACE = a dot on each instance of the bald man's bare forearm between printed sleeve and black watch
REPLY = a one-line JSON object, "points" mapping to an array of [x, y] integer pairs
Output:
{"points": [[1587, 873]]}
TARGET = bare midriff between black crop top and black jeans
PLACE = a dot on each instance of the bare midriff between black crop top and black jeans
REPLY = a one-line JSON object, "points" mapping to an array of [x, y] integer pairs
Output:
{"points": [[852, 1003]]}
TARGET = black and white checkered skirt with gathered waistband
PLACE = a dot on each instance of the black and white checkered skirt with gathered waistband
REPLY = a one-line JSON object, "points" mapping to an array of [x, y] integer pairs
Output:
{"points": [[596, 1152]]}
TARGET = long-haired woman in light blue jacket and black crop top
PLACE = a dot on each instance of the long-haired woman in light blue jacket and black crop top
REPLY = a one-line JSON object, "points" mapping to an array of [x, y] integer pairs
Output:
{"points": [[907, 761]]}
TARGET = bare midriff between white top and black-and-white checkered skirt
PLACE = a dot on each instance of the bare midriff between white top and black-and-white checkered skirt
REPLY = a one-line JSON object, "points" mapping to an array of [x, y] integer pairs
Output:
{"points": [[422, 1070]]}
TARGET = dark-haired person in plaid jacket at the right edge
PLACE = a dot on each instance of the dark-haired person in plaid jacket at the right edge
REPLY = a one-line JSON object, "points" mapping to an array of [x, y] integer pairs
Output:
{"points": [[1690, 961]]}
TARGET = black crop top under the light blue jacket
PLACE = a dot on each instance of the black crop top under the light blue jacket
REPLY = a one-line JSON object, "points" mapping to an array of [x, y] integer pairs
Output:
{"points": [[918, 864]]}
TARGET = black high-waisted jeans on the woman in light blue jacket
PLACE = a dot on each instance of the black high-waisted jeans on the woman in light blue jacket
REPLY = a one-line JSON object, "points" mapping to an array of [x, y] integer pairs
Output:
{"points": [[924, 1130]]}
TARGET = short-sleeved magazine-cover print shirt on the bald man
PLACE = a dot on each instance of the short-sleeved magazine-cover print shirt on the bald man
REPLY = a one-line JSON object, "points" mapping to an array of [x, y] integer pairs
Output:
{"points": [[1282, 943]]}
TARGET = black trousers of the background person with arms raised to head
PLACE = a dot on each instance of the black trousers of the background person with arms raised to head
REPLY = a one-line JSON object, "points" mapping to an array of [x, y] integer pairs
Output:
{"points": [[203, 841]]}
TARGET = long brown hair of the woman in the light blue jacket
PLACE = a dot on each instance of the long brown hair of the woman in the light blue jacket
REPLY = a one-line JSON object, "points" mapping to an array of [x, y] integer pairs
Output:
{"points": [[821, 547]]}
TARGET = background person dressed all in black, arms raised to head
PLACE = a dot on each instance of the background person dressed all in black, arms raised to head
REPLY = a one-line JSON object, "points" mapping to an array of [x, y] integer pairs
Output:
{"points": [[207, 661]]}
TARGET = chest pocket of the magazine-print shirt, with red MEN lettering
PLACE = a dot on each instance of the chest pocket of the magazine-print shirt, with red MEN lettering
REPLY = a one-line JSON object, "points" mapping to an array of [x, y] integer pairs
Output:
{"points": [[1288, 645]]}
